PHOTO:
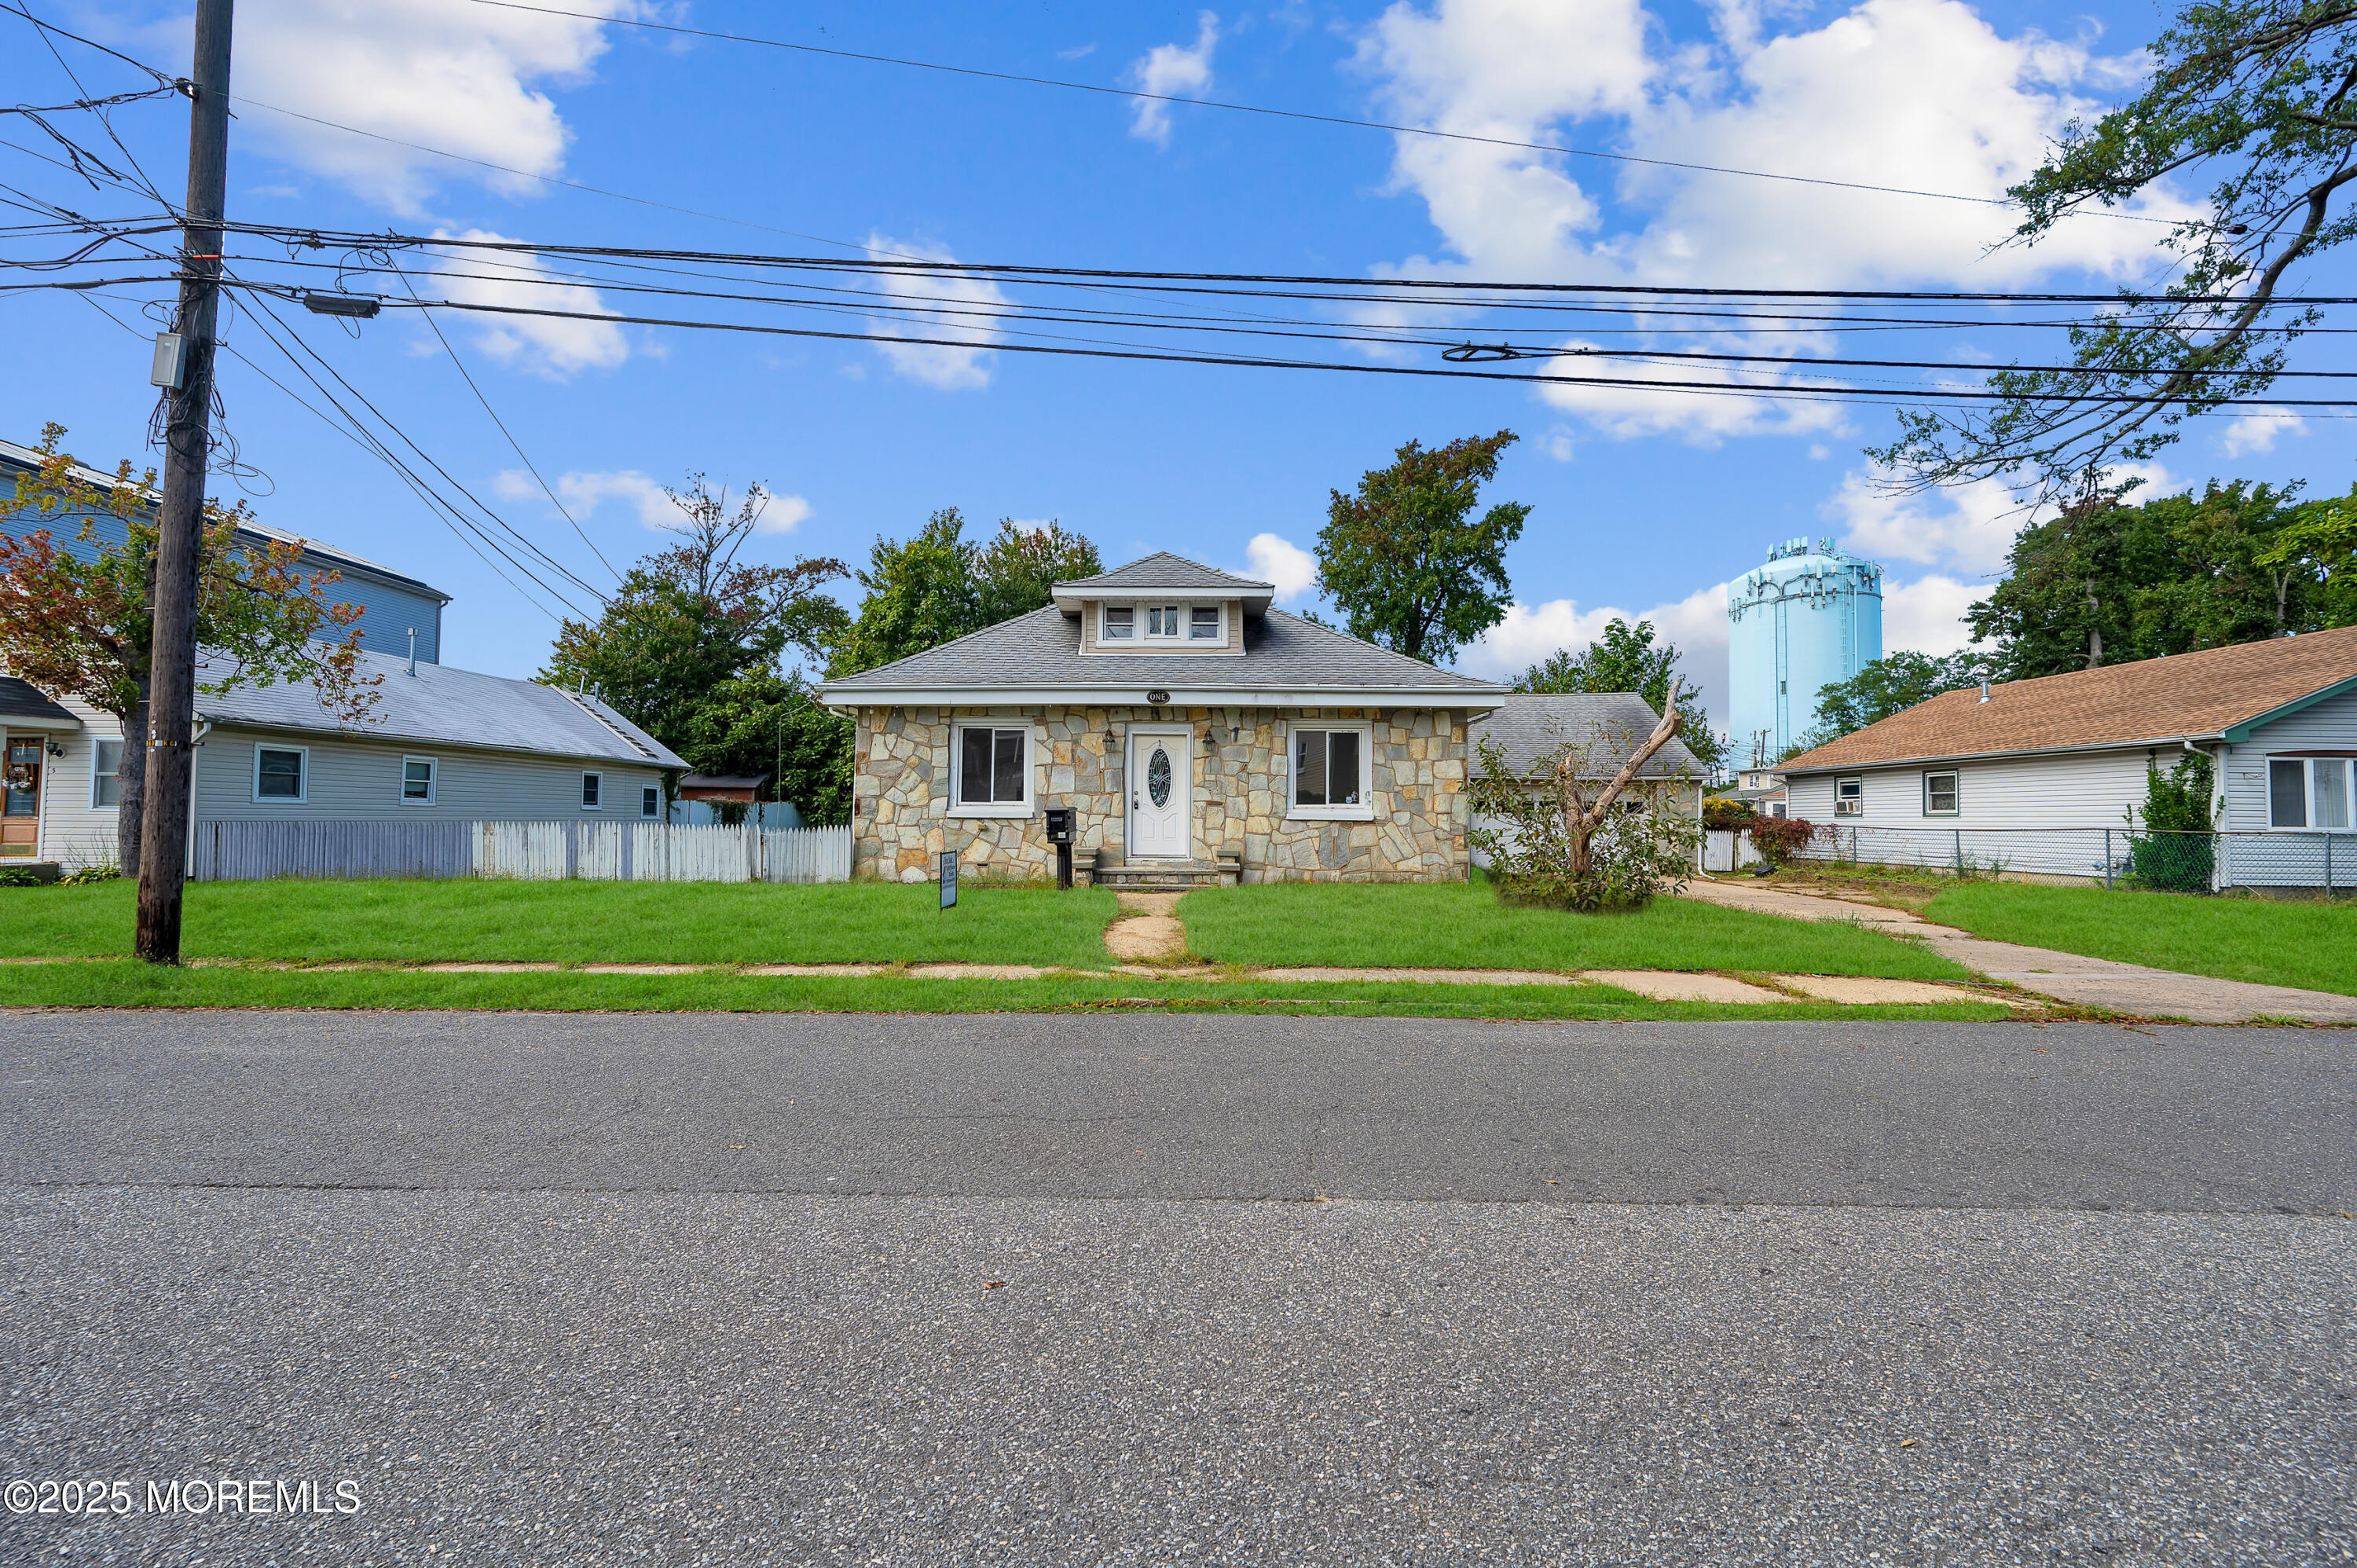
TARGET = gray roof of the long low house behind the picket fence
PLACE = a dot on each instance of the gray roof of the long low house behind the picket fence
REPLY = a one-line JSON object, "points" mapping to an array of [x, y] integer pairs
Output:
{"points": [[449, 706]]}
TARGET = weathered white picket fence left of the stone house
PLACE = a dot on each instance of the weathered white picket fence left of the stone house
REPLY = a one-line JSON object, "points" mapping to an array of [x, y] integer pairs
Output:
{"points": [[532, 852]]}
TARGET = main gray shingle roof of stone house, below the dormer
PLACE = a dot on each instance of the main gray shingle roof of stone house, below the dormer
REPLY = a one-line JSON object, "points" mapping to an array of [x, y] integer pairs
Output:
{"points": [[1043, 650]]}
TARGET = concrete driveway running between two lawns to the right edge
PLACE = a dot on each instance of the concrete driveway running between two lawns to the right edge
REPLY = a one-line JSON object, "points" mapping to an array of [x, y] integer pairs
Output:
{"points": [[2066, 977]]}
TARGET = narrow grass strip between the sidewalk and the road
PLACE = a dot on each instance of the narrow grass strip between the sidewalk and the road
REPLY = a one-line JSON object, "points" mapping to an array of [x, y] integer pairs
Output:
{"points": [[131, 984]]}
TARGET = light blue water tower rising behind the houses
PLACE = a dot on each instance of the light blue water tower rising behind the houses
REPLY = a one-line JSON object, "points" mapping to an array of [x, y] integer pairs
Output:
{"points": [[1811, 617]]}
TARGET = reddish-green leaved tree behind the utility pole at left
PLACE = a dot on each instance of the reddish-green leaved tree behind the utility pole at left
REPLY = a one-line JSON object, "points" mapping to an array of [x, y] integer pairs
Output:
{"points": [[84, 621]]}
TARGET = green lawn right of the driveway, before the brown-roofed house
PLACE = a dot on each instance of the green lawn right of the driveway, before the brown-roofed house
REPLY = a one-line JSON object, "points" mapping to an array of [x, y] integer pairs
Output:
{"points": [[2236, 940]]}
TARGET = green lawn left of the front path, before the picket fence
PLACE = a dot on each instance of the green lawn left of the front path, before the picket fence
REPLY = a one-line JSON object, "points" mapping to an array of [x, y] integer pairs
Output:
{"points": [[661, 923]]}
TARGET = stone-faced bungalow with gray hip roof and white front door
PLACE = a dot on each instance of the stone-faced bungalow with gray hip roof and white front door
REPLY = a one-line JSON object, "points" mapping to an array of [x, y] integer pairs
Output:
{"points": [[1196, 732]]}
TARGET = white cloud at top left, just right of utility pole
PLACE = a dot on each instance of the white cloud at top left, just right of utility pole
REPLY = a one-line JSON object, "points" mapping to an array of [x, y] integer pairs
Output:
{"points": [[466, 79]]}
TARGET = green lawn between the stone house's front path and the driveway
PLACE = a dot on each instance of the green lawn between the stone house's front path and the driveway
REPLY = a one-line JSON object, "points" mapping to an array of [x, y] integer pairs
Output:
{"points": [[1453, 925]]}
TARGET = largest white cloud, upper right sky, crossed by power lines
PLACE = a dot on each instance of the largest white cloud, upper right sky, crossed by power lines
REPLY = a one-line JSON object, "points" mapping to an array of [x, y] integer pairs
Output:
{"points": [[1894, 93]]}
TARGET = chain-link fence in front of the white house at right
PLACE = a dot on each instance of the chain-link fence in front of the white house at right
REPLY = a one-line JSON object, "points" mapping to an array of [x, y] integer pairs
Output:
{"points": [[2111, 857]]}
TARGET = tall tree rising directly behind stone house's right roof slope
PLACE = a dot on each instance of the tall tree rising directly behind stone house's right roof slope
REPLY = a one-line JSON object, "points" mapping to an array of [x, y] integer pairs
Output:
{"points": [[1406, 565]]}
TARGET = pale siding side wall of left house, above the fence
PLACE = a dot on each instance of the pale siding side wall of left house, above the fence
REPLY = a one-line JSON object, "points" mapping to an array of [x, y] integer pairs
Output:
{"points": [[362, 779]]}
